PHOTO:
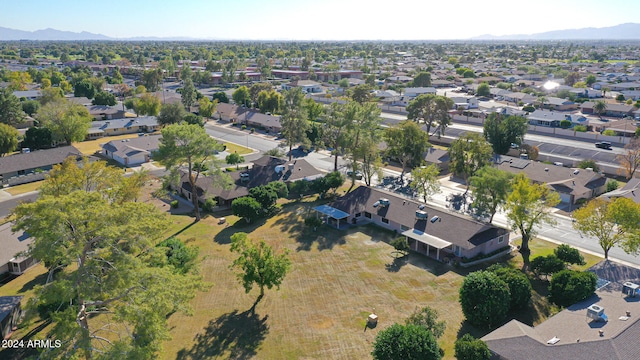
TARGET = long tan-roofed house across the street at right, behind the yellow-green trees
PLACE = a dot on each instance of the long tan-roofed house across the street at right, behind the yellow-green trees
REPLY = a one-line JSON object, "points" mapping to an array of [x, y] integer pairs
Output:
{"points": [[570, 184]]}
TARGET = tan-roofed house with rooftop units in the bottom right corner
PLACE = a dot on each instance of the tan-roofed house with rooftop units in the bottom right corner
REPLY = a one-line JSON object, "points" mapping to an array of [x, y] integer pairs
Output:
{"points": [[573, 333]]}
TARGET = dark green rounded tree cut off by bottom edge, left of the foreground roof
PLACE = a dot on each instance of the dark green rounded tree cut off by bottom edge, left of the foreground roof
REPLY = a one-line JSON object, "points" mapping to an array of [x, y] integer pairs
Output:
{"points": [[405, 342]]}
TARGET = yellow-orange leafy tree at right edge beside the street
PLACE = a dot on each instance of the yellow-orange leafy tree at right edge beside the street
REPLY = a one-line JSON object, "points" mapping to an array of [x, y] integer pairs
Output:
{"points": [[613, 223]]}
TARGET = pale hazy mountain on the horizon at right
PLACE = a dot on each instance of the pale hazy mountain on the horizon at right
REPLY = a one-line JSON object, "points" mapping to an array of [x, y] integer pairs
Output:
{"points": [[629, 31]]}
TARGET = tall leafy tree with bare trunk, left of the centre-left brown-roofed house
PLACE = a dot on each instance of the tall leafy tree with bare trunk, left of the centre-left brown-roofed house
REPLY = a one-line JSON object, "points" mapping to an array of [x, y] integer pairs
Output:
{"points": [[189, 146]]}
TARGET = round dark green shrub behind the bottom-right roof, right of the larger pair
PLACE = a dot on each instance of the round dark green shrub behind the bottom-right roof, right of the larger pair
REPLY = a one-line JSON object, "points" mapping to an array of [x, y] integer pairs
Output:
{"points": [[568, 287]]}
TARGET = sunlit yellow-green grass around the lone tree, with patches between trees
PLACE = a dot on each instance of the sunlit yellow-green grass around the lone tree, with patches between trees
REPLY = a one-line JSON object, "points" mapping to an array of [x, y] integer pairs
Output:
{"points": [[320, 311]]}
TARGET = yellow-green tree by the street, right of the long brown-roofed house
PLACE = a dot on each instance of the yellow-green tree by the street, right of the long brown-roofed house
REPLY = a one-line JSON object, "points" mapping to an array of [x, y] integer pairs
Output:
{"points": [[528, 206]]}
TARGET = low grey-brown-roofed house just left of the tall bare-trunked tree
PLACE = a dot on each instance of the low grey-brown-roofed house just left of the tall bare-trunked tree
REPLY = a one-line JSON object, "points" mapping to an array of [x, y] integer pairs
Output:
{"points": [[132, 152]]}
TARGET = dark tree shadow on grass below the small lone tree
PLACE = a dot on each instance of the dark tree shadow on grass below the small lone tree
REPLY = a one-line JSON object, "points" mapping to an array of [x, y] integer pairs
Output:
{"points": [[232, 336]]}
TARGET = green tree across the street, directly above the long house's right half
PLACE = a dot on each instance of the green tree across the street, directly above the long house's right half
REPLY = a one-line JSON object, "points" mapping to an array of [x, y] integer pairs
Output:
{"points": [[468, 154]]}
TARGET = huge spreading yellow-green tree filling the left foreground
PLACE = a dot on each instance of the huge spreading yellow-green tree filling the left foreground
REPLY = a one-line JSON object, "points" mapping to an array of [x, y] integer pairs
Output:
{"points": [[113, 284]]}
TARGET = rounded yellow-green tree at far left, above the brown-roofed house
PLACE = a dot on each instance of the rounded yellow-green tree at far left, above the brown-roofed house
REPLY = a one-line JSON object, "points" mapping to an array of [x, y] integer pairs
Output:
{"points": [[68, 122]]}
